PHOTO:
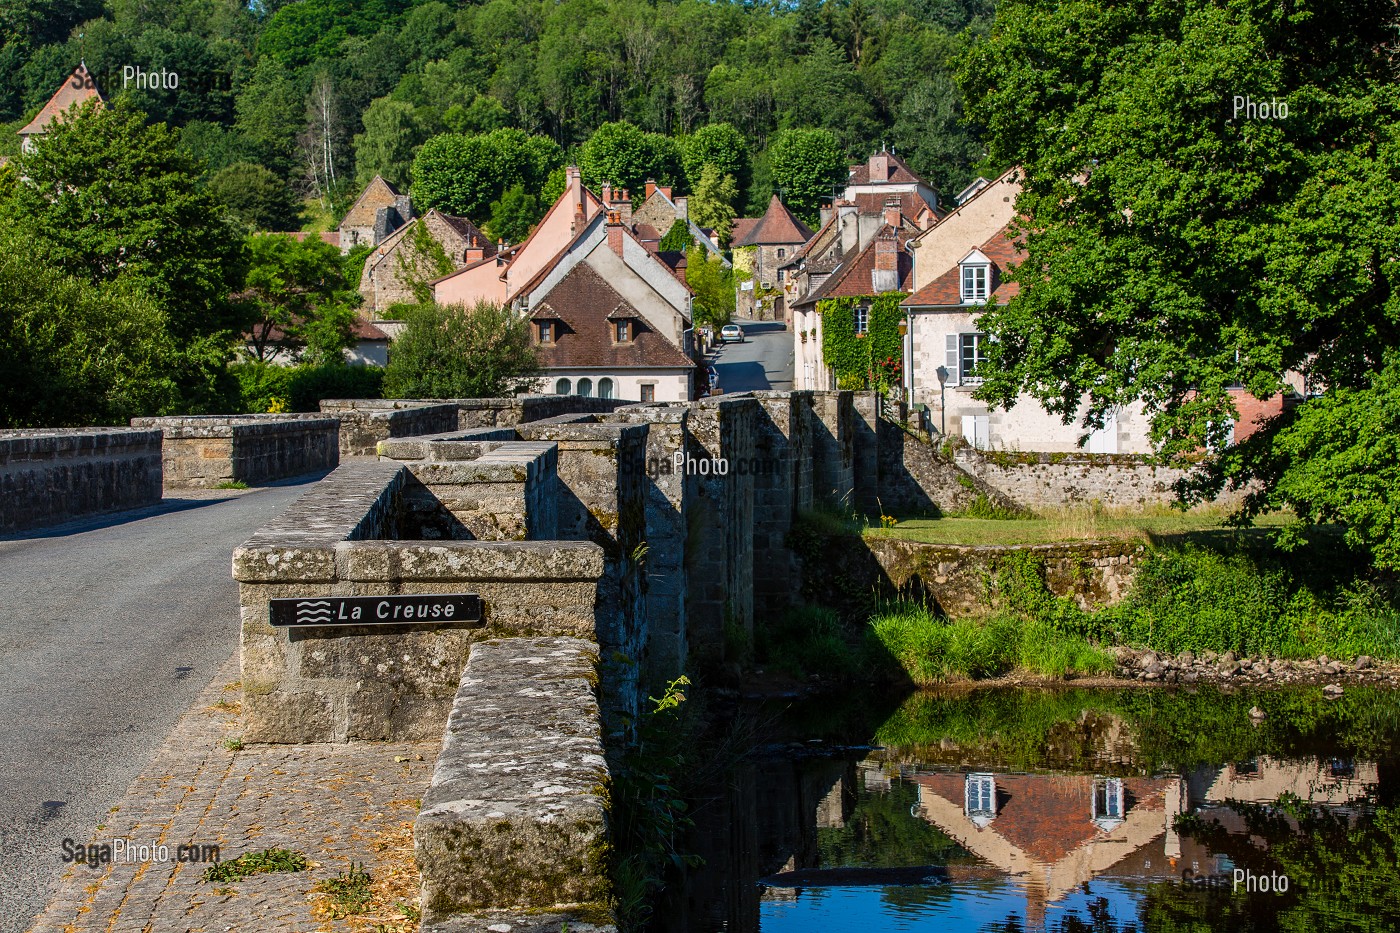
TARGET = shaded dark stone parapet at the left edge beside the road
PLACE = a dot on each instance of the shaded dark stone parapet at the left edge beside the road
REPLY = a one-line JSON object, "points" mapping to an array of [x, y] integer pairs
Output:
{"points": [[48, 477]]}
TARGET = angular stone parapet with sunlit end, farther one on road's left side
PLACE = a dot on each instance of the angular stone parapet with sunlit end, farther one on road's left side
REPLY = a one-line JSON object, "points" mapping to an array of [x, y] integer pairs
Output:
{"points": [[208, 450]]}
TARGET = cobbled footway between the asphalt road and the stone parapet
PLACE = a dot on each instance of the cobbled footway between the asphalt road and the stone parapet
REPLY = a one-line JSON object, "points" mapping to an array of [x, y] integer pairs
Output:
{"points": [[331, 803]]}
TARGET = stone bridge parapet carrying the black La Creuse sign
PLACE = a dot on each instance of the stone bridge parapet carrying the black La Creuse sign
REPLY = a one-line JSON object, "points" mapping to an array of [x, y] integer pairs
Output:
{"points": [[387, 683]]}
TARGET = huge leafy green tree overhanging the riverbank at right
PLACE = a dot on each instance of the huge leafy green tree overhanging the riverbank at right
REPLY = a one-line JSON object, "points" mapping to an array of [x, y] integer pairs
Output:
{"points": [[1175, 246]]}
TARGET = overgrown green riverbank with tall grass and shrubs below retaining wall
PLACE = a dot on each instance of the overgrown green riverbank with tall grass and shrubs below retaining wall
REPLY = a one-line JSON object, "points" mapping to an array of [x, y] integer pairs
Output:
{"points": [[1203, 590]]}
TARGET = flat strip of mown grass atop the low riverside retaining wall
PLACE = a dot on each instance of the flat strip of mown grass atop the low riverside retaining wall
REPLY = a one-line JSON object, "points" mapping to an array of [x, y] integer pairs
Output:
{"points": [[1077, 525]]}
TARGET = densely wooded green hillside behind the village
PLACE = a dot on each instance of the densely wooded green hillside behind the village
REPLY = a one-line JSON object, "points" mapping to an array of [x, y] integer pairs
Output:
{"points": [[328, 93]]}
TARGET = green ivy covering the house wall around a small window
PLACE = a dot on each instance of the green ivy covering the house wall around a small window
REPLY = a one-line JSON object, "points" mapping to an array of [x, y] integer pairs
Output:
{"points": [[863, 361]]}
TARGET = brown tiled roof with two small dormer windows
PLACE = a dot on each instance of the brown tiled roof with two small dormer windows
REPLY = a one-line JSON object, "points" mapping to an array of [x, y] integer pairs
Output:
{"points": [[584, 302]]}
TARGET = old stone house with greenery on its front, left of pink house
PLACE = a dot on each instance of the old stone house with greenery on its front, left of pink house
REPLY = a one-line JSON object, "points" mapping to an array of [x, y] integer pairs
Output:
{"points": [[390, 271]]}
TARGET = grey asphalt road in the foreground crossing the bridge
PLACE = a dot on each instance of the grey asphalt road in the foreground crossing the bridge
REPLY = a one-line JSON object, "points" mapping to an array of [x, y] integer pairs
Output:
{"points": [[108, 631]]}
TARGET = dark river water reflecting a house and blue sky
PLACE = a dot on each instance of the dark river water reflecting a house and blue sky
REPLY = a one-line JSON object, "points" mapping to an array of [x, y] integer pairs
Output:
{"points": [[1056, 810]]}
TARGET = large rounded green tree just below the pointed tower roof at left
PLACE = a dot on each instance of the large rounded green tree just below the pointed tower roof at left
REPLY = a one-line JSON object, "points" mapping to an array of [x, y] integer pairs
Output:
{"points": [[108, 197]]}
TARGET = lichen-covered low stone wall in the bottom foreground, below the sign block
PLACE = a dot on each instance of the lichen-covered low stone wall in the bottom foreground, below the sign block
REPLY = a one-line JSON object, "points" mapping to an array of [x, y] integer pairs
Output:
{"points": [[516, 816]]}
